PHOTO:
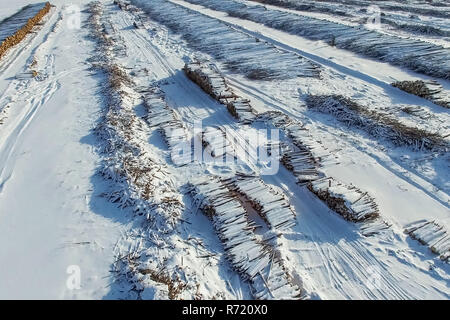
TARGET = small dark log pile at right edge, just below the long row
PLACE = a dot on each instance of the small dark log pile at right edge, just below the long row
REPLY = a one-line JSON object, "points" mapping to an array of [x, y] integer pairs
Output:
{"points": [[430, 90]]}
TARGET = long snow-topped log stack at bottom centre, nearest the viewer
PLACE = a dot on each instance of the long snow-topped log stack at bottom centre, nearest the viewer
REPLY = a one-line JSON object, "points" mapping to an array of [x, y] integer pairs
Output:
{"points": [[256, 262]]}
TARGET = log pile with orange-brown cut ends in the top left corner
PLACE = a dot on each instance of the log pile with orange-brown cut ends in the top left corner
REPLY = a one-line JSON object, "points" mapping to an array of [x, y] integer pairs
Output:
{"points": [[19, 34]]}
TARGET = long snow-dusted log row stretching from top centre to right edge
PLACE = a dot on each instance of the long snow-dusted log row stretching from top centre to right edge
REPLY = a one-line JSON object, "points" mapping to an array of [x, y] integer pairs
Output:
{"points": [[420, 56]]}
